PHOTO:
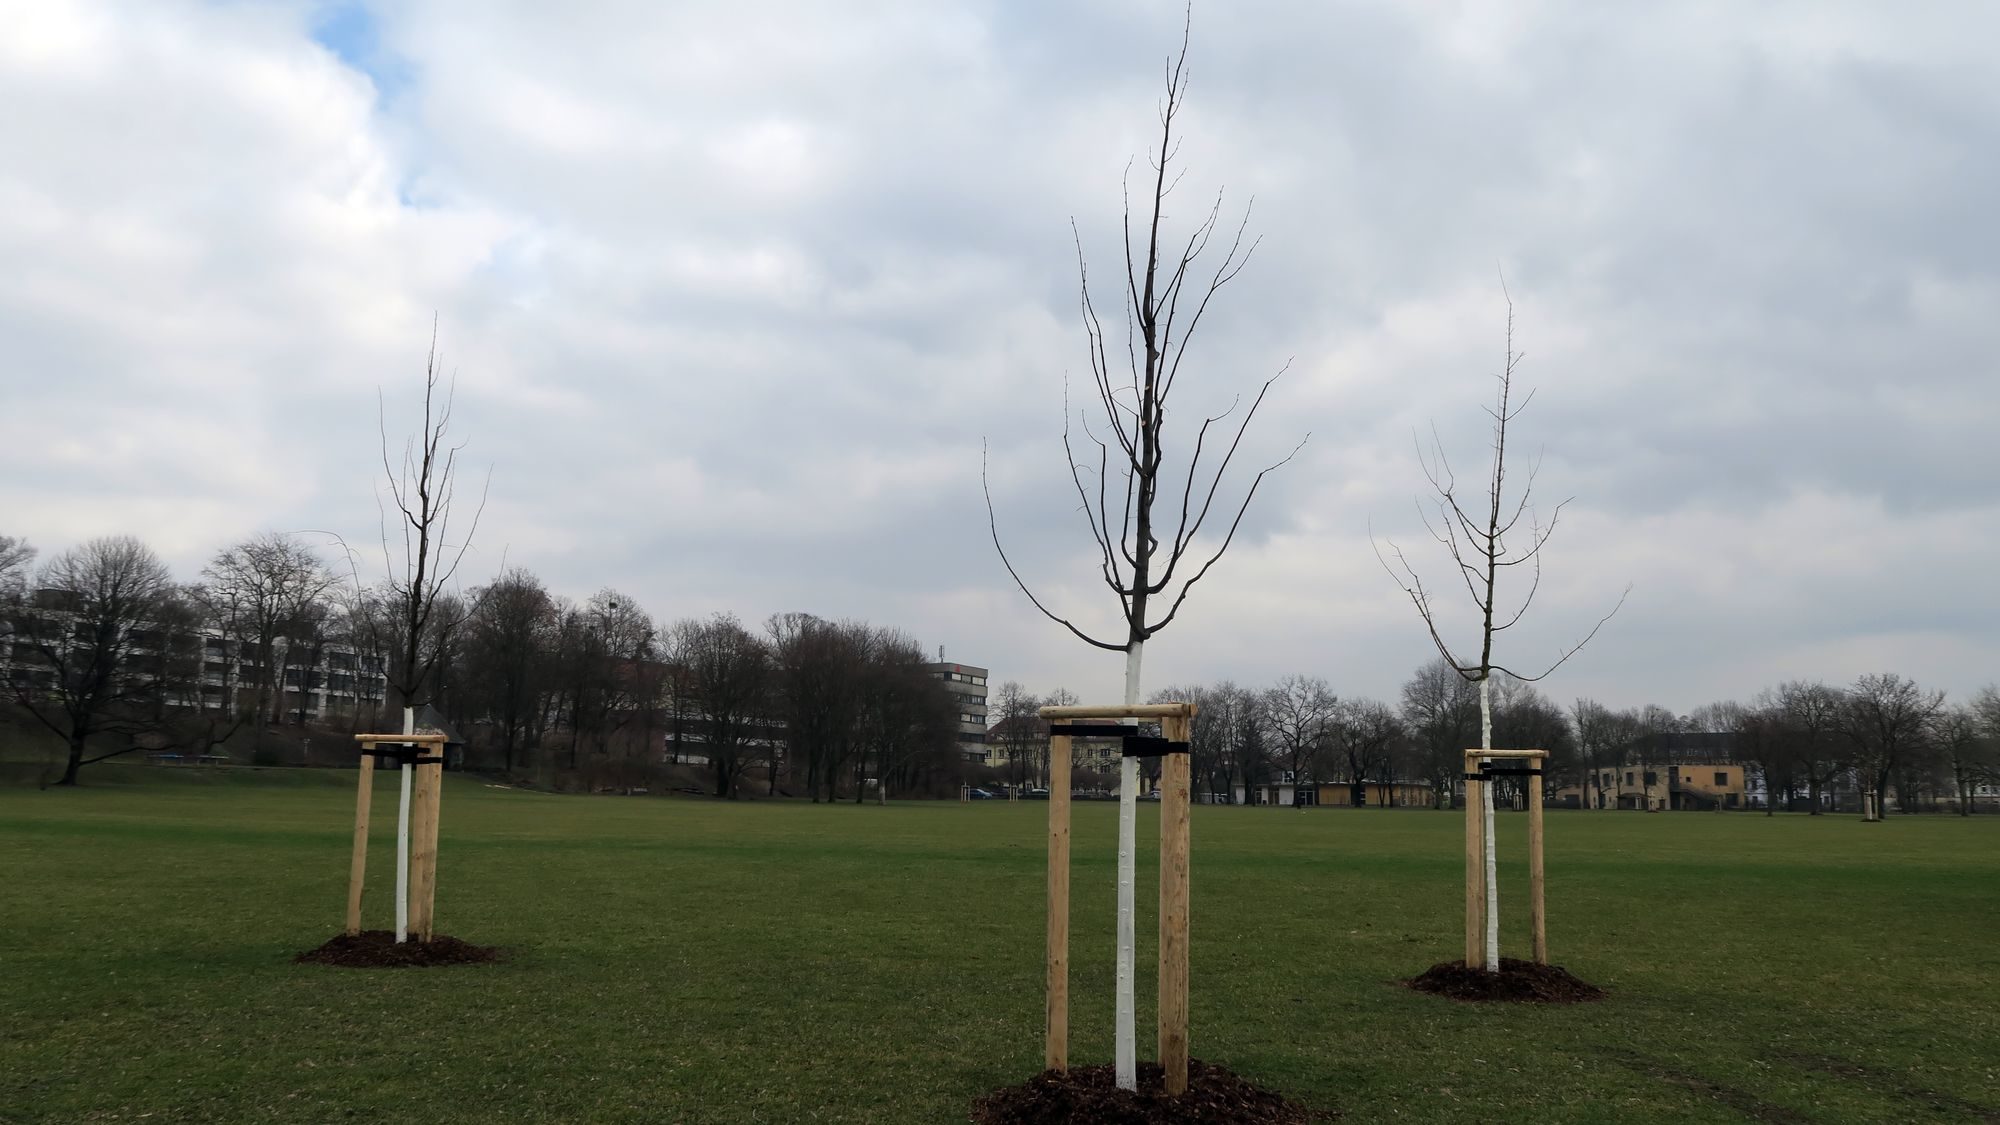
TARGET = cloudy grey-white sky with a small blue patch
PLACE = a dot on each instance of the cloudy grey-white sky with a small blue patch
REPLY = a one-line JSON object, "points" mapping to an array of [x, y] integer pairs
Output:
{"points": [[737, 291]]}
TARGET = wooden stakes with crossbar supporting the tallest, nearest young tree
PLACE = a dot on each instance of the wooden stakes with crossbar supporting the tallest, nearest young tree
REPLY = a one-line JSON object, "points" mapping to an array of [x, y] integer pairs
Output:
{"points": [[1173, 752]]}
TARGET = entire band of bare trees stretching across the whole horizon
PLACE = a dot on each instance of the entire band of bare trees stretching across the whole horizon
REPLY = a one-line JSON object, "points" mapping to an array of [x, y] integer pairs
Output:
{"points": [[109, 654]]}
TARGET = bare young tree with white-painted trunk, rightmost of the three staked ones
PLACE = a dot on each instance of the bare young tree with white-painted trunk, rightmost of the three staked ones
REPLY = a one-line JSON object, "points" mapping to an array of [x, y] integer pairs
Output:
{"points": [[1485, 537]]}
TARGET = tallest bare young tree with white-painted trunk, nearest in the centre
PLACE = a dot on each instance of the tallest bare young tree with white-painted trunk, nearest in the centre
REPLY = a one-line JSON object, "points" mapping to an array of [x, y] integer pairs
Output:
{"points": [[1167, 291]]}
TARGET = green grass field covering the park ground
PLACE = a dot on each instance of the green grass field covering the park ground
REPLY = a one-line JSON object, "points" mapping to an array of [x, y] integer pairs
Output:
{"points": [[719, 964]]}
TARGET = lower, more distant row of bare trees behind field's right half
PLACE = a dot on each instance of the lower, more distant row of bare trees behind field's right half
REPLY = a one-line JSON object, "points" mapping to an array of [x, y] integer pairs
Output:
{"points": [[1801, 744]]}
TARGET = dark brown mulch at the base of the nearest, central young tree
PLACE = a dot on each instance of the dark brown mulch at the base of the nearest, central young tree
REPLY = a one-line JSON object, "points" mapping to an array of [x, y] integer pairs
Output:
{"points": [[1091, 1096]]}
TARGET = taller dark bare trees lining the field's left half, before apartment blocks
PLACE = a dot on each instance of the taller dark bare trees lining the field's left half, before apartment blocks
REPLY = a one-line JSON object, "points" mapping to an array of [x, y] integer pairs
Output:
{"points": [[105, 650]]}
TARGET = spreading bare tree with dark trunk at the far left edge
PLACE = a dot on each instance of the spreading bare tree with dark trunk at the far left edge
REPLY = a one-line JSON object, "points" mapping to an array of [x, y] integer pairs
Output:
{"points": [[93, 636]]}
